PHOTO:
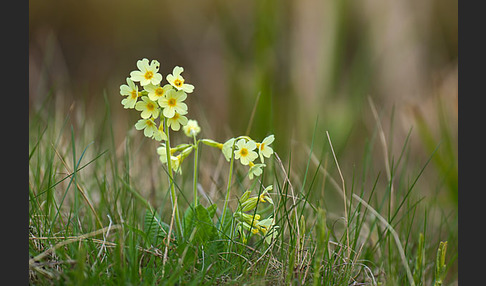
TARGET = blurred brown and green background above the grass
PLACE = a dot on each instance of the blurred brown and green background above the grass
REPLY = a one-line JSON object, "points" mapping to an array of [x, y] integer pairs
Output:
{"points": [[304, 67]]}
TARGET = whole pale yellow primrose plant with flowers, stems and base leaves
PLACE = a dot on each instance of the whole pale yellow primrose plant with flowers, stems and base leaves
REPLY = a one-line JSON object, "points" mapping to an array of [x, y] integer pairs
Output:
{"points": [[162, 109]]}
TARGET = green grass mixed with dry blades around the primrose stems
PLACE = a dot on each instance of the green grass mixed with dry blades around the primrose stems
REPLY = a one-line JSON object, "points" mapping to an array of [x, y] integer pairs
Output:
{"points": [[100, 213]]}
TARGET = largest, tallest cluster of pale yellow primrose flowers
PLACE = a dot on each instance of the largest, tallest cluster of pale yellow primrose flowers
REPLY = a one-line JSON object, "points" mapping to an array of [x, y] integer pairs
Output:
{"points": [[156, 101]]}
